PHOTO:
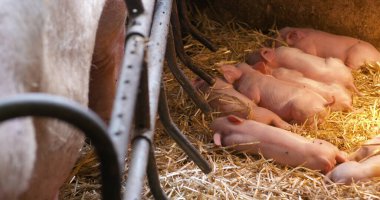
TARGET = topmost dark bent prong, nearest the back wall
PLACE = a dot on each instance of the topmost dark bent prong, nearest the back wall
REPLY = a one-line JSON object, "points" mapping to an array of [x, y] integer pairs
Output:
{"points": [[186, 24]]}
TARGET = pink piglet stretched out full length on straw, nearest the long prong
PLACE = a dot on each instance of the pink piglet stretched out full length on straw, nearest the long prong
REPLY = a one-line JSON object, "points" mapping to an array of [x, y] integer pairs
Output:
{"points": [[282, 146]]}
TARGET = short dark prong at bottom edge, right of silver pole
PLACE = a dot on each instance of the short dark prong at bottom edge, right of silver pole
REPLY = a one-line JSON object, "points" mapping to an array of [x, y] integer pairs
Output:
{"points": [[153, 178]]}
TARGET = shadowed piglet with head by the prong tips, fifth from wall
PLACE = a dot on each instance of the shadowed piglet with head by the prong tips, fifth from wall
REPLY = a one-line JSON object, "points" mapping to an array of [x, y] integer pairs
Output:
{"points": [[223, 98]]}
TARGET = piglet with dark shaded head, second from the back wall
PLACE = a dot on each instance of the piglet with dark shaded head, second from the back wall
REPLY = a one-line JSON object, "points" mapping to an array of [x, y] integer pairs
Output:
{"points": [[329, 70]]}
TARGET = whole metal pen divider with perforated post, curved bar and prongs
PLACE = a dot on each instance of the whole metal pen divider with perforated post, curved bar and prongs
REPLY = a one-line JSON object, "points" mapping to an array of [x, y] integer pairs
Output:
{"points": [[140, 96]]}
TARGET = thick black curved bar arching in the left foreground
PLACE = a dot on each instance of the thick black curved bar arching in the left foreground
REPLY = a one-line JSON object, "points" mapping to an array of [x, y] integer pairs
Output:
{"points": [[44, 105]]}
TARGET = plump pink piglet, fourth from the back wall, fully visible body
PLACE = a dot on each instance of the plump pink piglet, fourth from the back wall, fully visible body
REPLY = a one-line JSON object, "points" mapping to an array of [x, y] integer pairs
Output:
{"points": [[288, 100]]}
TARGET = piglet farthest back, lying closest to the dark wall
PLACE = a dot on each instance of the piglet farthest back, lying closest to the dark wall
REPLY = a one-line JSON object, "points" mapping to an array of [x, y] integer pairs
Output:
{"points": [[353, 52]]}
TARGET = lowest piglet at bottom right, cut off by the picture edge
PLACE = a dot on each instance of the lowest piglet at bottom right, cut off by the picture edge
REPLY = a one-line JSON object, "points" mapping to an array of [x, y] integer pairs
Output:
{"points": [[353, 171]]}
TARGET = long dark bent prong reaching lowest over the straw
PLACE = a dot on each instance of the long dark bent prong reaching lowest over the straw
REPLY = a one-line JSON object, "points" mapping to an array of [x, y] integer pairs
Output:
{"points": [[176, 134]]}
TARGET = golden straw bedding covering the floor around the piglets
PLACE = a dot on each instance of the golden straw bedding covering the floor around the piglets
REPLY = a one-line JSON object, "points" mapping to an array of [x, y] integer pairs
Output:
{"points": [[236, 175]]}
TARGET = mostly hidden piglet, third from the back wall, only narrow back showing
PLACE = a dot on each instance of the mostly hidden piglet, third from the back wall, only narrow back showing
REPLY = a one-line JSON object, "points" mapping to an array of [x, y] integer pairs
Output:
{"points": [[330, 92]]}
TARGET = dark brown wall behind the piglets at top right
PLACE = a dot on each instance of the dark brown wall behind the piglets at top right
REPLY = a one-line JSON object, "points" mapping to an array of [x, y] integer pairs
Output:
{"points": [[355, 18]]}
